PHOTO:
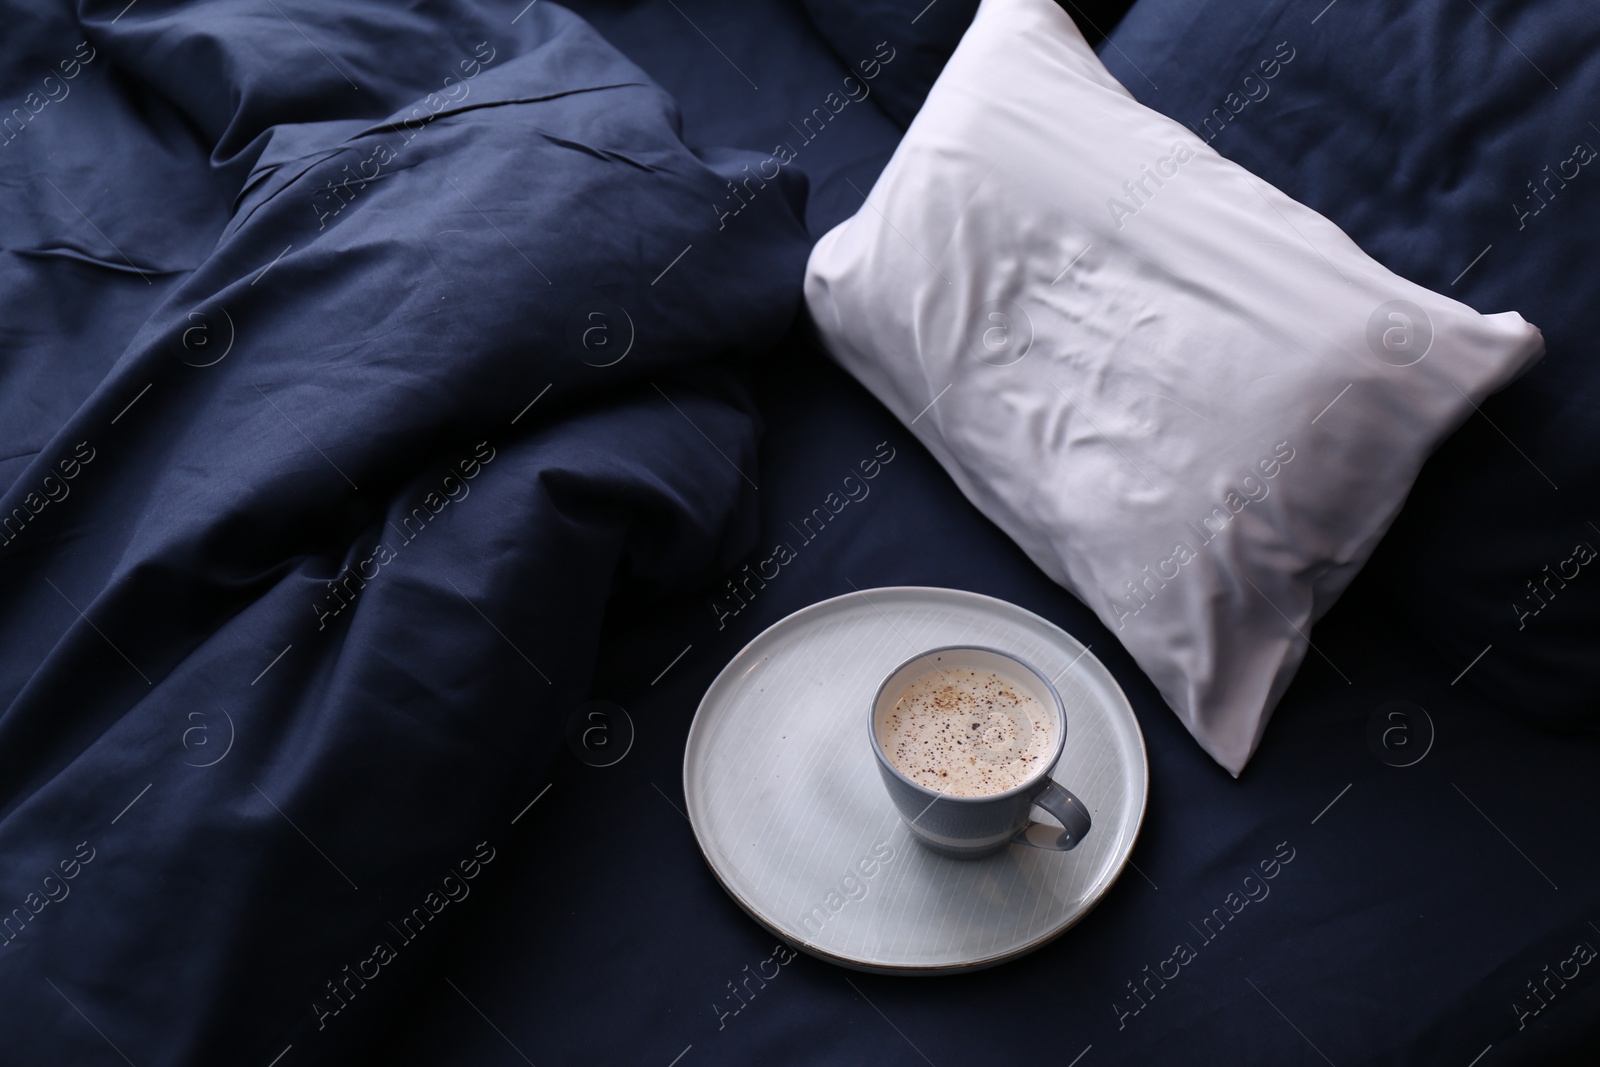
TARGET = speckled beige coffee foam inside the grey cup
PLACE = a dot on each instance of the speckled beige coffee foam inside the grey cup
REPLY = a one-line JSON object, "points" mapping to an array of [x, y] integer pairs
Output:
{"points": [[967, 732]]}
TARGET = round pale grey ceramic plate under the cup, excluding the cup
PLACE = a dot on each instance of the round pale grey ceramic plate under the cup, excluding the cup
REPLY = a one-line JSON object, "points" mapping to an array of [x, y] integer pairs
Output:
{"points": [[791, 813]]}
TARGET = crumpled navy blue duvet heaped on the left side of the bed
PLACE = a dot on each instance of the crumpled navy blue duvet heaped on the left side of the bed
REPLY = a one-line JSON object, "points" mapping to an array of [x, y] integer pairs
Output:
{"points": [[351, 359]]}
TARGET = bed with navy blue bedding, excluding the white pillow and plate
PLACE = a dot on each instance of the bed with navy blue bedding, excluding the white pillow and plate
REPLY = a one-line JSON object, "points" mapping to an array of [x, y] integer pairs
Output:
{"points": [[337, 521]]}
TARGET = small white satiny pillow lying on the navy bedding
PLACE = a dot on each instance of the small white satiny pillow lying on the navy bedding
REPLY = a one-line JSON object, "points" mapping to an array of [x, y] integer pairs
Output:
{"points": [[1193, 401]]}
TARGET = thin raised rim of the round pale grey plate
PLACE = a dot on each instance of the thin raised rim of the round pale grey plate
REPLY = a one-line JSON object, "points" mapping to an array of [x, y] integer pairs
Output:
{"points": [[938, 969]]}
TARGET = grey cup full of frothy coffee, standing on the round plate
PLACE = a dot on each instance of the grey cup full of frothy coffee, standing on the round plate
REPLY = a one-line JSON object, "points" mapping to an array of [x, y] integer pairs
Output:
{"points": [[966, 740]]}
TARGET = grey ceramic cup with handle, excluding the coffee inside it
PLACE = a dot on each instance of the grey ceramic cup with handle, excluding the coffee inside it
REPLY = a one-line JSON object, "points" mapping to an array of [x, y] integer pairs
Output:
{"points": [[974, 826]]}
